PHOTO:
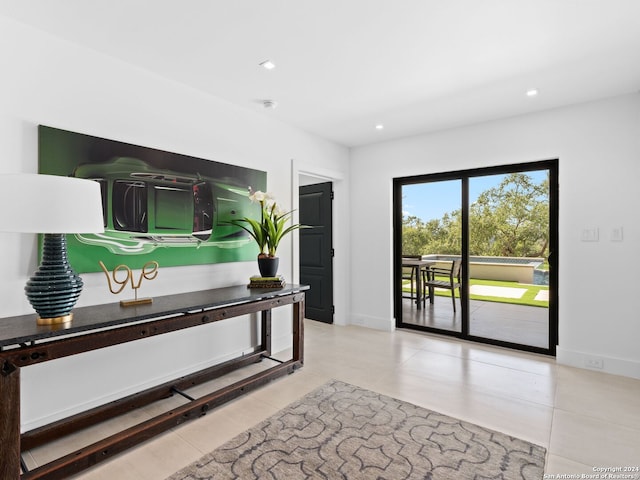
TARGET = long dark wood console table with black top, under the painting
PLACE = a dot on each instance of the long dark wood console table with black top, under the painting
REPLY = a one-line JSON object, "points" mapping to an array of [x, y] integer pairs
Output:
{"points": [[23, 343]]}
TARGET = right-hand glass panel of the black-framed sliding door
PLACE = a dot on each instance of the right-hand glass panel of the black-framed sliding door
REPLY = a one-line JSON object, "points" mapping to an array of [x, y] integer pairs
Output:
{"points": [[508, 250]]}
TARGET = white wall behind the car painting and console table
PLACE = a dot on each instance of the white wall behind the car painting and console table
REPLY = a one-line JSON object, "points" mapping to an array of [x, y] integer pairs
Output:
{"points": [[49, 81]]}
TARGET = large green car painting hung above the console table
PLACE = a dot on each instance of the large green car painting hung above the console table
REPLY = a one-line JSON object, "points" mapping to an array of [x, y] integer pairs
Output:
{"points": [[161, 206]]}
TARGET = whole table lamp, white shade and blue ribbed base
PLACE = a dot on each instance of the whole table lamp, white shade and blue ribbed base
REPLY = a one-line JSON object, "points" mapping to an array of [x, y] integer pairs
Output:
{"points": [[54, 206]]}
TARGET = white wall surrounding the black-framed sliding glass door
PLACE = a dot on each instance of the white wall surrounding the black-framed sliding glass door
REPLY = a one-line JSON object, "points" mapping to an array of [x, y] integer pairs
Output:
{"points": [[598, 146]]}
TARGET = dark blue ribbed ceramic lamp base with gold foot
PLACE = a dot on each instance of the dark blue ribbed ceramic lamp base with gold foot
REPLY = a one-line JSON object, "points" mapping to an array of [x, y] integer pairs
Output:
{"points": [[54, 288]]}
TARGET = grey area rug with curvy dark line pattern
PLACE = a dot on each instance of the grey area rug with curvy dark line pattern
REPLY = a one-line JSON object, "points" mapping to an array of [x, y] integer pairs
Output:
{"points": [[341, 431]]}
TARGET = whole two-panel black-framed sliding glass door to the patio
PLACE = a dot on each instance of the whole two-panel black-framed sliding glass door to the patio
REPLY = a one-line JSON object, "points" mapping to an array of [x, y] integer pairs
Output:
{"points": [[500, 225]]}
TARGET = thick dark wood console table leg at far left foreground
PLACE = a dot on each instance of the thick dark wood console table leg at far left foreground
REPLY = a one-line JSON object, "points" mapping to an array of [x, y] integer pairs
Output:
{"points": [[10, 421]]}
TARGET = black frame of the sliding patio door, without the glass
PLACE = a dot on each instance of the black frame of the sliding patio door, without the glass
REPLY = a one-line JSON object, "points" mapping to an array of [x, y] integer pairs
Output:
{"points": [[464, 176]]}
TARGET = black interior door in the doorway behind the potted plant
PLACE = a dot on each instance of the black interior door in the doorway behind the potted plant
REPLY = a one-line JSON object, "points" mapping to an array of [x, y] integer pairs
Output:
{"points": [[316, 250]]}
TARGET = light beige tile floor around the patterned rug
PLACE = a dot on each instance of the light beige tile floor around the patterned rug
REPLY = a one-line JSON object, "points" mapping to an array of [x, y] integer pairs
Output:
{"points": [[585, 419]]}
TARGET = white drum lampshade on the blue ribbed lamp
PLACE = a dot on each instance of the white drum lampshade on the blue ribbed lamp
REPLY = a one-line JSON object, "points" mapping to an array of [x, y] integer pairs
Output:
{"points": [[32, 203]]}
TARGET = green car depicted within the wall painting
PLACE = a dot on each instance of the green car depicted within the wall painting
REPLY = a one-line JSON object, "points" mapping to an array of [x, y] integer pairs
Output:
{"points": [[145, 209]]}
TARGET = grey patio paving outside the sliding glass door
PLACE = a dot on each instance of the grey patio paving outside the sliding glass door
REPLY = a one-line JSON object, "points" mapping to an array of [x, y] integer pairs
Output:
{"points": [[499, 321]]}
